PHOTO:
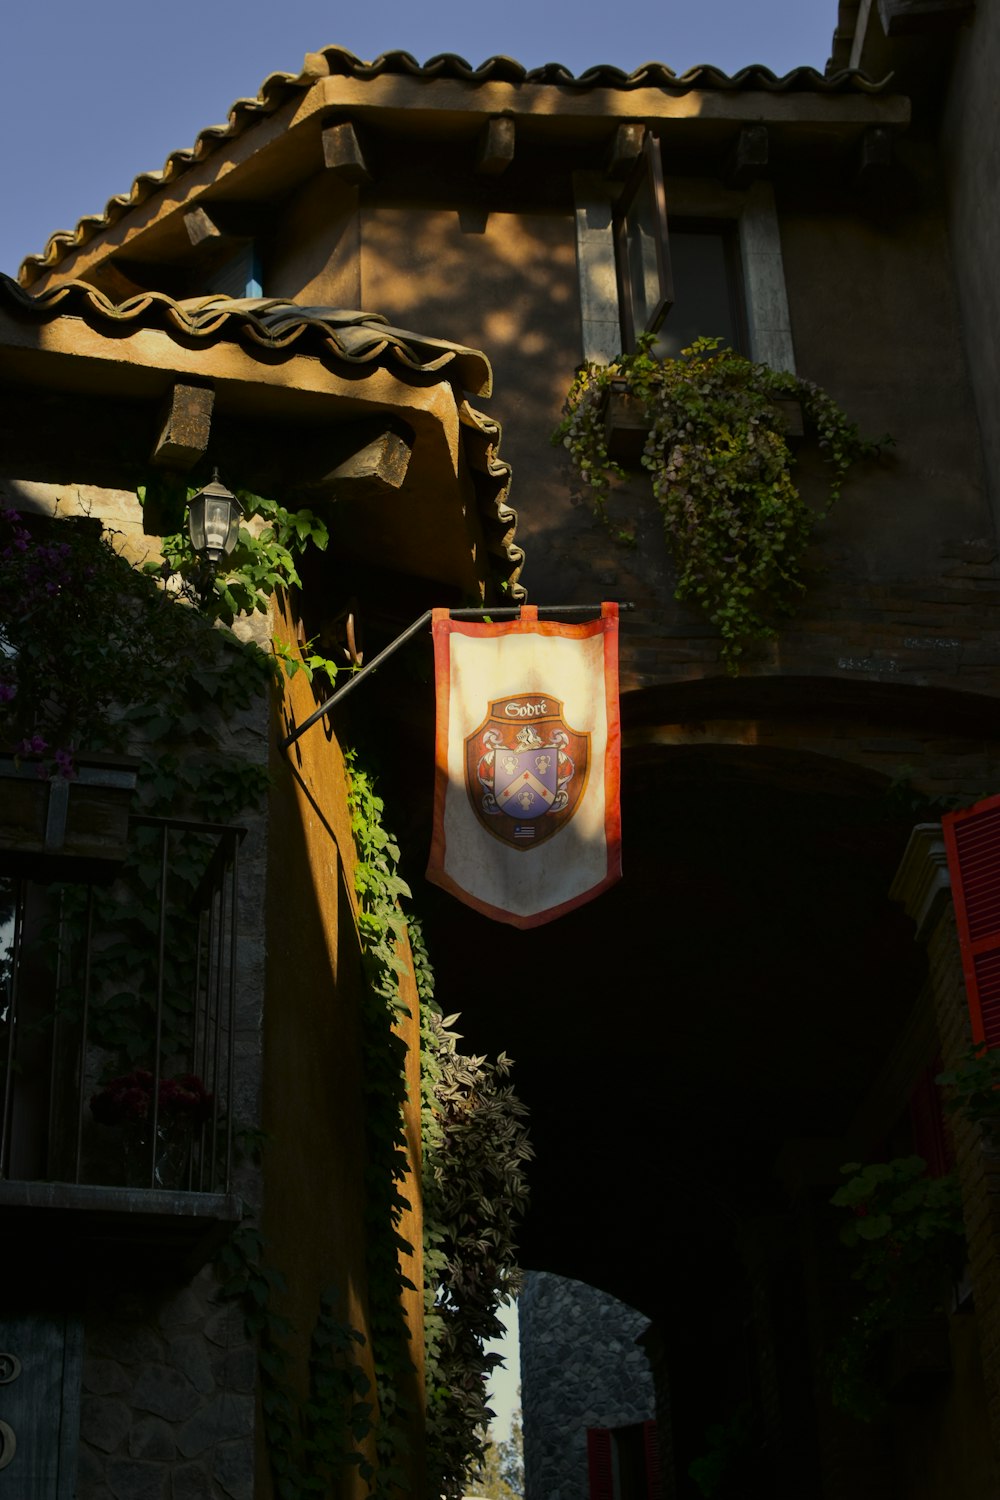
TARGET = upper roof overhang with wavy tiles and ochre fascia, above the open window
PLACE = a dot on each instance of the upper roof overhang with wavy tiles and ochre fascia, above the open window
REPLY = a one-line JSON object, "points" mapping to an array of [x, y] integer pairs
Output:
{"points": [[274, 143]]}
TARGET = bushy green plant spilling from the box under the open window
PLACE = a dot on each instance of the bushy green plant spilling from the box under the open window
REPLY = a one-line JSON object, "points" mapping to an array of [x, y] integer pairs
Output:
{"points": [[719, 458]]}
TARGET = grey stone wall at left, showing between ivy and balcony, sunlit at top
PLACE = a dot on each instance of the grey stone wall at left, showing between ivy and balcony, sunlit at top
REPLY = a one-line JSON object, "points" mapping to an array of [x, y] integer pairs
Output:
{"points": [[169, 1375]]}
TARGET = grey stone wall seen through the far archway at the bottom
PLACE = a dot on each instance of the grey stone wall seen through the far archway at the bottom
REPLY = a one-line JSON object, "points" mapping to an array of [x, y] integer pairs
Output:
{"points": [[579, 1367]]}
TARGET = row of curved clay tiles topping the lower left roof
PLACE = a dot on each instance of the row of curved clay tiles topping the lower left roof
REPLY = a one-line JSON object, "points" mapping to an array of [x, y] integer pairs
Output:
{"points": [[347, 337]]}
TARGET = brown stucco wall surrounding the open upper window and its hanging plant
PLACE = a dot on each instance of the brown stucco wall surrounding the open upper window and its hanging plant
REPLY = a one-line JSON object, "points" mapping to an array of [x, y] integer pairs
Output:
{"points": [[903, 580]]}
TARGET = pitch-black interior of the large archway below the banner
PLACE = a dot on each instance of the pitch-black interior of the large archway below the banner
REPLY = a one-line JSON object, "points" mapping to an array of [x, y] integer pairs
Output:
{"points": [[741, 988]]}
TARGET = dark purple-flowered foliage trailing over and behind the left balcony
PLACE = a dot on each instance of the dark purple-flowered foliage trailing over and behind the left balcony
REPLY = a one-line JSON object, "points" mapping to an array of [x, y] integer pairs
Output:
{"points": [[97, 658]]}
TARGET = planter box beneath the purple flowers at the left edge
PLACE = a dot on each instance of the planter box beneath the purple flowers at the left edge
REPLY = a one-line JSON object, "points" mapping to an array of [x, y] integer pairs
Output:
{"points": [[58, 829]]}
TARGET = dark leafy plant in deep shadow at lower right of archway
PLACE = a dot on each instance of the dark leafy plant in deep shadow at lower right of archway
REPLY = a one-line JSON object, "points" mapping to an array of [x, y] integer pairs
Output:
{"points": [[905, 1237]]}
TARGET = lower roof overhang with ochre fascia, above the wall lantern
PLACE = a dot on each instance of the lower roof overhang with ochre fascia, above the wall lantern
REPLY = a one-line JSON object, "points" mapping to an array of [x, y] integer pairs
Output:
{"points": [[286, 418]]}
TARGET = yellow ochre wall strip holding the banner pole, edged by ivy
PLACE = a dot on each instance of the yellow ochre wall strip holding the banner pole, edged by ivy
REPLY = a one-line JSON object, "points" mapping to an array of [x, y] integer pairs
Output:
{"points": [[313, 1106]]}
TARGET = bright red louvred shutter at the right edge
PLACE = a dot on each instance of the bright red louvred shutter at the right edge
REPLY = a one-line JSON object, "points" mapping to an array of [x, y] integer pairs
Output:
{"points": [[972, 839]]}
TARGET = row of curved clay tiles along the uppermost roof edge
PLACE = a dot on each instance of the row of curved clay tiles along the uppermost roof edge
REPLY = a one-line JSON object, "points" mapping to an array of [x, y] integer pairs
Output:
{"points": [[338, 62]]}
